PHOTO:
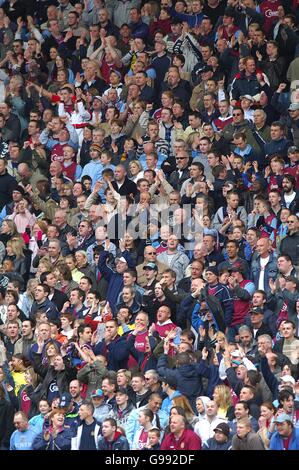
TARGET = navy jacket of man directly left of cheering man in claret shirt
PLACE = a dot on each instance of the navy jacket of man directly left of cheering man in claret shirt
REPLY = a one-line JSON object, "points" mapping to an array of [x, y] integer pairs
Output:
{"points": [[116, 353]]}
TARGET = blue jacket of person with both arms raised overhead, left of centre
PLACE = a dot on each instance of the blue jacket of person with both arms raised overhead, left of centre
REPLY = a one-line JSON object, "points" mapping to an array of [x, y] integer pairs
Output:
{"points": [[115, 279]]}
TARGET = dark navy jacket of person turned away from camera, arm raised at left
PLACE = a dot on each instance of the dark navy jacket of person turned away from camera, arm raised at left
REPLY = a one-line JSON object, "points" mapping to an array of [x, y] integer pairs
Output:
{"points": [[188, 377]]}
